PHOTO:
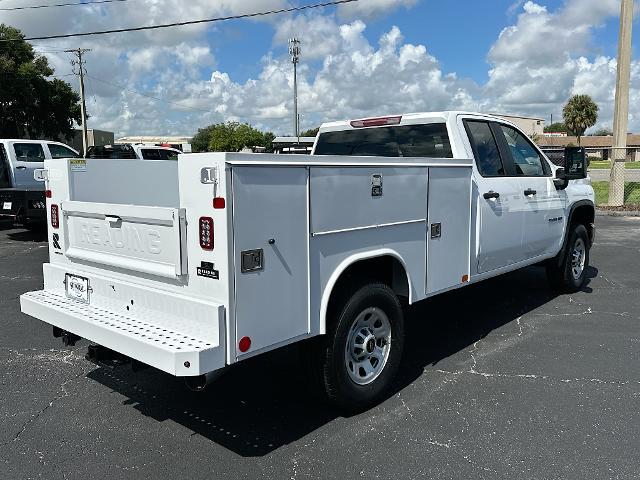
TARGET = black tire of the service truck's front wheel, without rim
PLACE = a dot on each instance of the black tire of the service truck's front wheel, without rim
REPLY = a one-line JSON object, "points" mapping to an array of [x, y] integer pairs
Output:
{"points": [[560, 270]]}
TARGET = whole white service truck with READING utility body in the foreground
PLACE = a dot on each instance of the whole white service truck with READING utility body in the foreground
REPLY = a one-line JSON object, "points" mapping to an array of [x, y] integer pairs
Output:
{"points": [[195, 265]]}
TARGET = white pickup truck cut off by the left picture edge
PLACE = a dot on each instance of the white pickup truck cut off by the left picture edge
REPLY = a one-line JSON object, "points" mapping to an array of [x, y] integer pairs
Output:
{"points": [[22, 197]]}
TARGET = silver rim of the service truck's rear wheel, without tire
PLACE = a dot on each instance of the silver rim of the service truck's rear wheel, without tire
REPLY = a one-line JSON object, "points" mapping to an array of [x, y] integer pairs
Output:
{"points": [[368, 346]]}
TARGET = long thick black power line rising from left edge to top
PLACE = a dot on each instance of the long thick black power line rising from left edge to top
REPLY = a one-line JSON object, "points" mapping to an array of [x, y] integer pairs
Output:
{"points": [[190, 22]]}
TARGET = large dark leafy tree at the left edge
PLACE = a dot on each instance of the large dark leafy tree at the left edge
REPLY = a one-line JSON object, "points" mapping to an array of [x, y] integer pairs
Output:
{"points": [[31, 104]]}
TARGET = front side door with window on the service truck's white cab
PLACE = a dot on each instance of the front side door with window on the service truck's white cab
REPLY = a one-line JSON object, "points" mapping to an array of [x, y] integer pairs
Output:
{"points": [[543, 206]]}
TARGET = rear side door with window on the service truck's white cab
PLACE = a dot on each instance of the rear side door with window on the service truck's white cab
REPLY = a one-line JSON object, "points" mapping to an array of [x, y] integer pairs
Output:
{"points": [[501, 218]]}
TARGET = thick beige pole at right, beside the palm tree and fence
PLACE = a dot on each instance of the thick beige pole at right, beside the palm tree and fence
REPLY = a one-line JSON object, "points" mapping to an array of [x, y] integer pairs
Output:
{"points": [[621, 114]]}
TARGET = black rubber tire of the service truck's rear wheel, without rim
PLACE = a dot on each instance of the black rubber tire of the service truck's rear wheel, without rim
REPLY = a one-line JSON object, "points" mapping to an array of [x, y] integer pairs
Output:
{"points": [[338, 385]]}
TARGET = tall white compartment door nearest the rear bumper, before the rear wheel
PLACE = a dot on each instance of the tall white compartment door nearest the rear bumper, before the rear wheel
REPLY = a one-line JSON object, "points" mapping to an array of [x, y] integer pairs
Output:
{"points": [[270, 231]]}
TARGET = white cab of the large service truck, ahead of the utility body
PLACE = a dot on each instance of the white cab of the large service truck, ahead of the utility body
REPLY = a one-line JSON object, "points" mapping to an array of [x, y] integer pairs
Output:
{"points": [[520, 207]]}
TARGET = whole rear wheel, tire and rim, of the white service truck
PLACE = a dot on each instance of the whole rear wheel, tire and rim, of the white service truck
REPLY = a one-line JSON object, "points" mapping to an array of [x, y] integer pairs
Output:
{"points": [[361, 353]]}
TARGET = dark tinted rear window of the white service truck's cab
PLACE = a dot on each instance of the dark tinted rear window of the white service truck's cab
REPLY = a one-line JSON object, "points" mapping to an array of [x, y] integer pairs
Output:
{"points": [[430, 140]]}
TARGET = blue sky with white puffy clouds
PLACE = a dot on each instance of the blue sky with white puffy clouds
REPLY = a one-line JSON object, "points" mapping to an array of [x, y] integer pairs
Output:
{"points": [[366, 58]]}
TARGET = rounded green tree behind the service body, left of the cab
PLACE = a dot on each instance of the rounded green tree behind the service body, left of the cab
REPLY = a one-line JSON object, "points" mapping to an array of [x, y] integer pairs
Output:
{"points": [[230, 137]]}
